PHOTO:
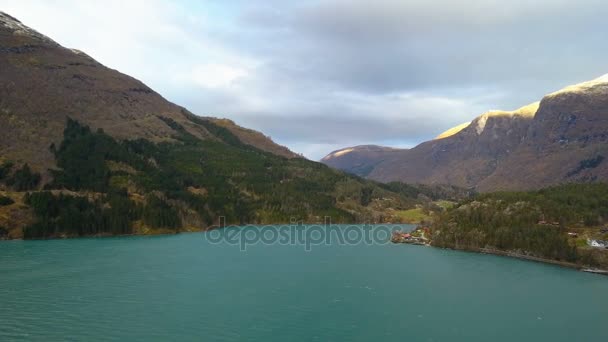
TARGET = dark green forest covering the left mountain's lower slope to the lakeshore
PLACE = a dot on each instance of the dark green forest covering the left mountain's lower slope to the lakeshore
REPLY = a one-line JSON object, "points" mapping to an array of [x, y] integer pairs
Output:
{"points": [[214, 177]]}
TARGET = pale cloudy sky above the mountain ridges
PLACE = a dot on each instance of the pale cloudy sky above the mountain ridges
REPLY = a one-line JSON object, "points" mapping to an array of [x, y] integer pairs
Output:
{"points": [[320, 75]]}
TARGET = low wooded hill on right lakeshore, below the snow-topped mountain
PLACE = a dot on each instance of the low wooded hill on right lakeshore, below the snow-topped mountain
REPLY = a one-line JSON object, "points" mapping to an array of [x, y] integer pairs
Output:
{"points": [[533, 223]]}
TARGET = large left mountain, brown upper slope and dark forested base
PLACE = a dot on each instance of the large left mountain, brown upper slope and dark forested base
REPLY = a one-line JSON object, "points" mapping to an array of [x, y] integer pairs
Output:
{"points": [[86, 150]]}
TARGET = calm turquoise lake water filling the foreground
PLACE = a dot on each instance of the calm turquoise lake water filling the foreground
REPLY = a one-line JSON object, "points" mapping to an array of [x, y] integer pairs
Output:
{"points": [[184, 288]]}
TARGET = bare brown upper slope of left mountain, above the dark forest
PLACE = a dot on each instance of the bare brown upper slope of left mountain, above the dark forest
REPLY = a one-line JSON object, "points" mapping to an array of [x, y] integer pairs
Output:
{"points": [[42, 83]]}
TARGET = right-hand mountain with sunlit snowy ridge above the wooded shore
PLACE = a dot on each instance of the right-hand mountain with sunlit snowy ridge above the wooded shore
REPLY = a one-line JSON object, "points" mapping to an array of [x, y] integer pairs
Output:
{"points": [[561, 139]]}
